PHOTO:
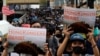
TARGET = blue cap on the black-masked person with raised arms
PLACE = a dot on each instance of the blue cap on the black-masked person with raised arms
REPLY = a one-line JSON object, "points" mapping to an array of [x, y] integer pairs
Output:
{"points": [[77, 37]]}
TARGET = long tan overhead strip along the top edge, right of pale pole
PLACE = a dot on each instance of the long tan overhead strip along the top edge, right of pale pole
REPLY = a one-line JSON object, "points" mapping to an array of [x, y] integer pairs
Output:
{"points": [[23, 1]]}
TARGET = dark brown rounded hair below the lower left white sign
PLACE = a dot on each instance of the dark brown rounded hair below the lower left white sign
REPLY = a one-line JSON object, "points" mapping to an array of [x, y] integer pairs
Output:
{"points": [[27, 48]]}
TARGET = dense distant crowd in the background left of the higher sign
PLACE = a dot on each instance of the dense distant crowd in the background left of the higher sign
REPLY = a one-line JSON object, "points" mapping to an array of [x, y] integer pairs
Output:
{"points": [[43, 15]]}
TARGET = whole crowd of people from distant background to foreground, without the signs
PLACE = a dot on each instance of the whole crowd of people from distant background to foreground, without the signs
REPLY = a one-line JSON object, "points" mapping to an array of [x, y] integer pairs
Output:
{"points": [[76, 39]]}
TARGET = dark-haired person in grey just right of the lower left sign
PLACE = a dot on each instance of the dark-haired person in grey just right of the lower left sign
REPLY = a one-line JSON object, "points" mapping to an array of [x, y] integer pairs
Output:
{"points": [[52, 40]]}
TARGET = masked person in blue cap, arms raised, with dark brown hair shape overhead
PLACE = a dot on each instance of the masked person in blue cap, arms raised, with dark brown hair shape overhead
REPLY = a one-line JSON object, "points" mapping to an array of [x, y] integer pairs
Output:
{"points": [[77, 40]]}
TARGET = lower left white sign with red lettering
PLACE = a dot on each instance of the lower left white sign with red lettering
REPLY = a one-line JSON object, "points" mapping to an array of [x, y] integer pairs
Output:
{"points": [[35, 35]]}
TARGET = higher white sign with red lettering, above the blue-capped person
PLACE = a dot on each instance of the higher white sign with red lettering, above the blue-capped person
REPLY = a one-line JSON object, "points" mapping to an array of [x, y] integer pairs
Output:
{"points": [[72, 15]]}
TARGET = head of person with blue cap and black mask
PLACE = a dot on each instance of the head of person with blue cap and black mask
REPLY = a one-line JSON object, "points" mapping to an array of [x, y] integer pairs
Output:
{"points": [[77, 43]]}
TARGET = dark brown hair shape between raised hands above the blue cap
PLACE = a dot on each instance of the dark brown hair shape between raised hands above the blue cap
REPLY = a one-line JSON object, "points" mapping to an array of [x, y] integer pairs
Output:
{"points": [[80, 27]]}
